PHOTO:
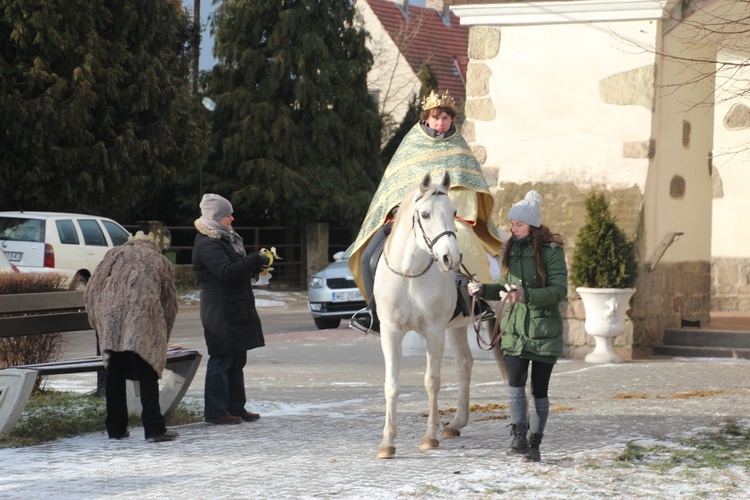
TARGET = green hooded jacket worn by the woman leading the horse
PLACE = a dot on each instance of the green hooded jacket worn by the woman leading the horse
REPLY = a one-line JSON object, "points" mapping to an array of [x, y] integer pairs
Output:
{"points": [[534, 327]]}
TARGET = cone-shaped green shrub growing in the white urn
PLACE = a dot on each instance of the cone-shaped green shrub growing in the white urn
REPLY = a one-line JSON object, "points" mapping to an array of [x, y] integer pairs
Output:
{"points": [[603, 256]]}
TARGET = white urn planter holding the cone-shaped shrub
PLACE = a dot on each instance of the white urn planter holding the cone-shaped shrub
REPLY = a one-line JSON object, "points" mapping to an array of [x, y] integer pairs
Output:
{"points": [[605, 320]]}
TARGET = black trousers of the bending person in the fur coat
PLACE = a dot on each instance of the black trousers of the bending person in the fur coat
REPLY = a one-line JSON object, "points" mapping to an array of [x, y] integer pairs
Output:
{"points": [[130, 366]]}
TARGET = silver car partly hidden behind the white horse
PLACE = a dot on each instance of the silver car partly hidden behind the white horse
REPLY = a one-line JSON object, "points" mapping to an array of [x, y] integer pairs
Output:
{"points": [[332, 294]]}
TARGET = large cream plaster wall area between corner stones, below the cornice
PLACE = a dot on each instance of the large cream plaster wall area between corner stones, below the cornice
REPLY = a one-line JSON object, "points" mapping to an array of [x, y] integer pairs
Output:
{"points": [[551, 123]]}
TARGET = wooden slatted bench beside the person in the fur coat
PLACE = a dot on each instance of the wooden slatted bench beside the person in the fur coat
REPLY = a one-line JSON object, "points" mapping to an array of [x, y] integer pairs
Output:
{"points": [[53, 312]]}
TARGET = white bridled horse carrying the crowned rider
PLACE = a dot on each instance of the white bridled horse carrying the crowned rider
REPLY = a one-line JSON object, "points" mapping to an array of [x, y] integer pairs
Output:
{"points": [[415, 290]]}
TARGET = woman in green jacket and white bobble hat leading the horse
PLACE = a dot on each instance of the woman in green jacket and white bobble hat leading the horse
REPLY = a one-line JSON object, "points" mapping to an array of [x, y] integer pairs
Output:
{"points": [[535, 278]]}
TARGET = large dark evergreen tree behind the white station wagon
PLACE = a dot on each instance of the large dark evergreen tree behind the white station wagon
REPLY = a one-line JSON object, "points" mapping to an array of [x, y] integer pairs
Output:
{"points": [[96, 113]]}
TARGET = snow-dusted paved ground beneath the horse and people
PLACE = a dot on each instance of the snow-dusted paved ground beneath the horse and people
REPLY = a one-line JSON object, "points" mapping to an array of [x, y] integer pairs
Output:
{"points": [[321, 399]]}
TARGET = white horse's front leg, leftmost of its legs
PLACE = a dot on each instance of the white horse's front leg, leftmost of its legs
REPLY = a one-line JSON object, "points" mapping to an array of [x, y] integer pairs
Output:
{"points": [[390, 342]]}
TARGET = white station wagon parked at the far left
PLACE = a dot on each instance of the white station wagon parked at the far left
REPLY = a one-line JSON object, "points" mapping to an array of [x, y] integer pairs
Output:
{"points": [[72, 244]]}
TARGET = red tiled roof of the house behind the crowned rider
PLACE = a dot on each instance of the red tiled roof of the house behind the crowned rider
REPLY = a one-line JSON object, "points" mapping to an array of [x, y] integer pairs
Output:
{"points": [[423, 37]]}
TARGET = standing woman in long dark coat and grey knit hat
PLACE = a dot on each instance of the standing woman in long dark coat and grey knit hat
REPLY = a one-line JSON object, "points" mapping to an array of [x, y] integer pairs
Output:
{"points": [[231, 325]]}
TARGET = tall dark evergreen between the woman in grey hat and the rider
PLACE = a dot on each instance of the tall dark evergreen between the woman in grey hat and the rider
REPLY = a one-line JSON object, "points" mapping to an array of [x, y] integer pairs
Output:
{"points": [[296, 134]]}
